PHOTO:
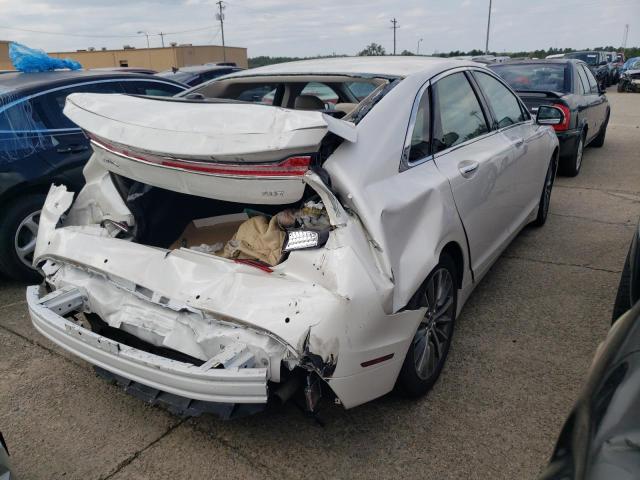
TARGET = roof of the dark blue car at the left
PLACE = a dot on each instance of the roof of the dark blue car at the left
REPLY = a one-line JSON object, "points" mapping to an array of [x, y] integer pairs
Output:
{"points": [[20, 81]]}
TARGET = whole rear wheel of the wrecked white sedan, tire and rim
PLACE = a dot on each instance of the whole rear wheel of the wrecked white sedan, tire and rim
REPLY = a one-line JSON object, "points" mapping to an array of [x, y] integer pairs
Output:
{"points": [[430, 345]]}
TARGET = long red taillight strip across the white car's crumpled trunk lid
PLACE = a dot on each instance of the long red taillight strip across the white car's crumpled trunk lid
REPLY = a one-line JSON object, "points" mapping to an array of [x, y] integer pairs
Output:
{"points": [[290, 167]]}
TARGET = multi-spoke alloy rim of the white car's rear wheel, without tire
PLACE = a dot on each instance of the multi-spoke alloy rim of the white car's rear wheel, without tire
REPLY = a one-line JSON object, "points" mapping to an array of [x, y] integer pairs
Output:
{"points": [[432, 339]]}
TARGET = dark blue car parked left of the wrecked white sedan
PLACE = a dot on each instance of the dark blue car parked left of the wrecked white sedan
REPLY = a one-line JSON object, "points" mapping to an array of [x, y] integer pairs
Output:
{"points": [[40, 146]]}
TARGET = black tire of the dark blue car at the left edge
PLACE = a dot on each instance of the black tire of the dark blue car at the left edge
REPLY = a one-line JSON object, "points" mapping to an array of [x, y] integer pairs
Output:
{"points": [[11, 218]]}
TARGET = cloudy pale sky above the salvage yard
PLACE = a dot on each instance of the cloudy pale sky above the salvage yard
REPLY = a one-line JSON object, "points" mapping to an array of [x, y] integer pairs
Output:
{"points": [[322, 27]]}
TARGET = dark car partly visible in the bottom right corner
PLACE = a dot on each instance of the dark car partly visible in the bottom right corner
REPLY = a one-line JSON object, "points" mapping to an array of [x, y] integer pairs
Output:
{"points": [[600, 439]]}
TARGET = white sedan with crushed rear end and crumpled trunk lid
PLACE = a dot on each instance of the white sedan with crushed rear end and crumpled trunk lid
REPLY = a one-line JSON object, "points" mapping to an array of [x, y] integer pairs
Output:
{"points": [[310, 229]]}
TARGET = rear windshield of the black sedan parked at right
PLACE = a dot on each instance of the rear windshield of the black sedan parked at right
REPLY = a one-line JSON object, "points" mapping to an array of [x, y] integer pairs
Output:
{"points": [[535, 76]]}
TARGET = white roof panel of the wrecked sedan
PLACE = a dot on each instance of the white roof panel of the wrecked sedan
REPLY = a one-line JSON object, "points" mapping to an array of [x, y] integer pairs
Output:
{"points": [[384, 66]]}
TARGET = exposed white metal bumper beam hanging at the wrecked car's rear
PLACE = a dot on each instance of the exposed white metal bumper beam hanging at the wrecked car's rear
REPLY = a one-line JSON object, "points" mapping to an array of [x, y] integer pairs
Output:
{"points": [[234, 385]]}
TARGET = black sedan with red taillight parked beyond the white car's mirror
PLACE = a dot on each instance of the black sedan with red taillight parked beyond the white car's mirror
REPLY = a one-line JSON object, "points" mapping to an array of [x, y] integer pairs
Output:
{"points": [[569, 85]]}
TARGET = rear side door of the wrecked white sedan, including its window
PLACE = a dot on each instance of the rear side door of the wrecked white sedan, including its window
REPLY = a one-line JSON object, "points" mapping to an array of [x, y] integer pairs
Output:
{"points": [[476, 160]]}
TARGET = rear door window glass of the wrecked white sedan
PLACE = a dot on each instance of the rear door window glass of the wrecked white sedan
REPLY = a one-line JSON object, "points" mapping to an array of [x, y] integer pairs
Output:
{"points": [[457, 113]]}
